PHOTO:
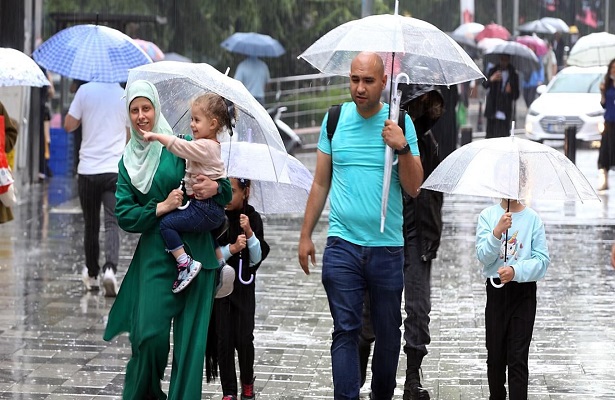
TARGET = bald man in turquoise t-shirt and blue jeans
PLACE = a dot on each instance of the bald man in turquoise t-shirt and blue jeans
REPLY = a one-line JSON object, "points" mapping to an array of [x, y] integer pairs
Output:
{"points": [[358, 257]]}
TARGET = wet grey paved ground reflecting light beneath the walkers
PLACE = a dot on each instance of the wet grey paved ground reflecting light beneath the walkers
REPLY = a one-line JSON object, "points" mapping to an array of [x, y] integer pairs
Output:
{"points": [[51, 343]]}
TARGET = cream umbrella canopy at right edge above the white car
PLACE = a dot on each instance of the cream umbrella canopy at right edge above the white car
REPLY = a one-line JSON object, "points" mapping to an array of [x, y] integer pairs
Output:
{"points": [[593, 50]]}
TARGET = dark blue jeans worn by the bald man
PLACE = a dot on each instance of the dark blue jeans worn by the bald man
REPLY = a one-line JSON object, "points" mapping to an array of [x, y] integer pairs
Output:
{"points": [[348, 271]]}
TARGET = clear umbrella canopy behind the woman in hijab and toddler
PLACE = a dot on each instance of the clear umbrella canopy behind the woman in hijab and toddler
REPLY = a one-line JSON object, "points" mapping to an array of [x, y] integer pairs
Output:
{"points": [[179, 83]]}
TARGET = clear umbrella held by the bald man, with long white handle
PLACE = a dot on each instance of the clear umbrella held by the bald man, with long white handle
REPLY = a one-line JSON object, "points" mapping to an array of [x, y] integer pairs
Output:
{"points": [[426, 53]]}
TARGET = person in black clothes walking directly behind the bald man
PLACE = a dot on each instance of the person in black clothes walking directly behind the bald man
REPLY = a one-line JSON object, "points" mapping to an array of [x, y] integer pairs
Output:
{"points": [[422, 231]]}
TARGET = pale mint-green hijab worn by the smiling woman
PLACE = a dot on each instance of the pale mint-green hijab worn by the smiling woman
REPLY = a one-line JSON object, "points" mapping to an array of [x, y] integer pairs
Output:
{"points": [[141, 158]]}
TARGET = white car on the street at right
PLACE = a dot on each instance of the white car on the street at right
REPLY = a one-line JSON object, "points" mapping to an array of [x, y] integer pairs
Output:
{"points": [[572, 98]]}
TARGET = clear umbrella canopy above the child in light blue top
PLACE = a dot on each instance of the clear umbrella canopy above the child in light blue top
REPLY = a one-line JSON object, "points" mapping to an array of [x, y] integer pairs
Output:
{"points": [[510, 168]]}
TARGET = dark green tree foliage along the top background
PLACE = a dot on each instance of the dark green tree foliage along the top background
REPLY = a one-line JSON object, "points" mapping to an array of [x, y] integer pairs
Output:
{"points": [[196, 28]]}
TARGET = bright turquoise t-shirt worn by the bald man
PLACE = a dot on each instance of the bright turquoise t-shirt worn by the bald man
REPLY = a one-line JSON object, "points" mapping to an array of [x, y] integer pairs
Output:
{"points": [[357, 152]]}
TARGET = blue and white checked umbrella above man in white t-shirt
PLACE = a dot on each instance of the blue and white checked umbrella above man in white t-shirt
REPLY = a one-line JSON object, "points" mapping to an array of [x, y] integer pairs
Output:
{"points": [[91, 53]]}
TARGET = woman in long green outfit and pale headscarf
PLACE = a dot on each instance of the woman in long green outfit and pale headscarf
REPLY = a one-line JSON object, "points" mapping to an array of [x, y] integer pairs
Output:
{"points": [[145, 306]]}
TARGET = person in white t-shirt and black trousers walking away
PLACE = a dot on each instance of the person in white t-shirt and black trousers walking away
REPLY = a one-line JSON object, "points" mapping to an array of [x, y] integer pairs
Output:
{"points": [[99, 108]]}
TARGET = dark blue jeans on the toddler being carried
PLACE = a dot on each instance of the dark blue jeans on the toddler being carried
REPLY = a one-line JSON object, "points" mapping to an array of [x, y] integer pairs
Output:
{"points": [[199, 216]]}
